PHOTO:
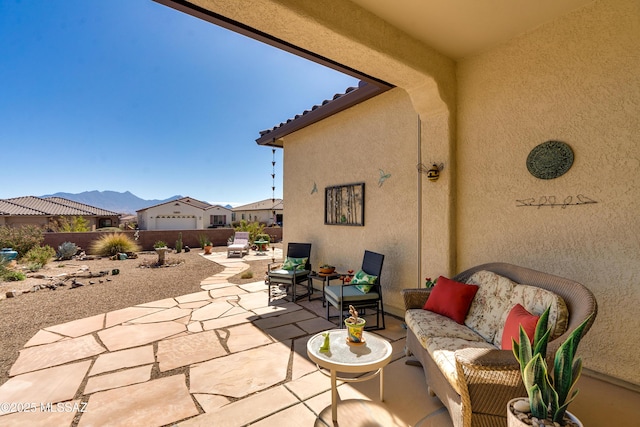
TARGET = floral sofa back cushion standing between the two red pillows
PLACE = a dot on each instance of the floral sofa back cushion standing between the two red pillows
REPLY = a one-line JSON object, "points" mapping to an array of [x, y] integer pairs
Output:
{"points": [[490, 303]]}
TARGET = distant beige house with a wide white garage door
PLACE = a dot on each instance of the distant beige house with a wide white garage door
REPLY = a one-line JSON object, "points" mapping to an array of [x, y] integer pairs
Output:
{"points": [[186, 213]]}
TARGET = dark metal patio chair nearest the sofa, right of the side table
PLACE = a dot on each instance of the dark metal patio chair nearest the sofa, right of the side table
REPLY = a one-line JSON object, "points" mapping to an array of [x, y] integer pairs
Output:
{"points": [[335, 295]]}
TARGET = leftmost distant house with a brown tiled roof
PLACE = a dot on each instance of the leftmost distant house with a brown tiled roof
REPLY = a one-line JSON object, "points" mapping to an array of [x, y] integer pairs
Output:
{"points": [[45, 212]]}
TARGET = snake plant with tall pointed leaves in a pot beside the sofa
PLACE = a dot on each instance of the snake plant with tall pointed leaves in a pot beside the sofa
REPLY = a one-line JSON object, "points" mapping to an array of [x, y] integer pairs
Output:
{"points": [[549, 394]]}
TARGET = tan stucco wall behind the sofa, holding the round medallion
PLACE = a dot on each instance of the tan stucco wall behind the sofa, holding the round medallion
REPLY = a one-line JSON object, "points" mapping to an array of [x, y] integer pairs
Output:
{"points": [[575, 80]]}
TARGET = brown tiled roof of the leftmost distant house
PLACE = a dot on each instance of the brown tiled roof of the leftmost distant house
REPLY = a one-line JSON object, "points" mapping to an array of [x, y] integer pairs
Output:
{"points": [[31, 205]]}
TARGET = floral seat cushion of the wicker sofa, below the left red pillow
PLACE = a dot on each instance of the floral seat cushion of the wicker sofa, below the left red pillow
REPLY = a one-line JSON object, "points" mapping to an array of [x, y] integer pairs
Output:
{"points": [[427, 324]]}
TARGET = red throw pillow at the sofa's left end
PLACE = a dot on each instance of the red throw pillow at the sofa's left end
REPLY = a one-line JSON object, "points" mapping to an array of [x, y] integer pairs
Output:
{"points": [[451, 299]]}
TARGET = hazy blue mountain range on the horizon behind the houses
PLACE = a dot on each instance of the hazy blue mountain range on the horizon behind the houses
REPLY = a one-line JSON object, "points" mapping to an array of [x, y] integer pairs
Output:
{"points": [[124, 203]]}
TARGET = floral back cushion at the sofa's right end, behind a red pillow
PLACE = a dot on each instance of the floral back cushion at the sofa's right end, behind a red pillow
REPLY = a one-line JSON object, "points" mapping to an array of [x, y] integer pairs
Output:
{"points": [[536, 300]]}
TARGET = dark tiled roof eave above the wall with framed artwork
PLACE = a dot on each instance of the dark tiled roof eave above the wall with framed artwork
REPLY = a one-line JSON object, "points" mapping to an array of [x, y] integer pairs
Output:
{"points": [[329, 107]]}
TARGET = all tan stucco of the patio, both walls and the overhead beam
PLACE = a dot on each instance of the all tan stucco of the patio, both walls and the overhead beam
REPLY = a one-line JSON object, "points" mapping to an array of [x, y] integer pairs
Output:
{"points": [[575, 79]]}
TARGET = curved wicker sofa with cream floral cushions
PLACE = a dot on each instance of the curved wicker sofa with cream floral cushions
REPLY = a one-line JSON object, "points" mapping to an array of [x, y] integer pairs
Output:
{"points": [[463, 366]]}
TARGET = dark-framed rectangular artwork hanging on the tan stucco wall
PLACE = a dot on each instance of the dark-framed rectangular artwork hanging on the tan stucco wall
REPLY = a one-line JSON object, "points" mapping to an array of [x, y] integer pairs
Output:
{"points": [[344, 205]]}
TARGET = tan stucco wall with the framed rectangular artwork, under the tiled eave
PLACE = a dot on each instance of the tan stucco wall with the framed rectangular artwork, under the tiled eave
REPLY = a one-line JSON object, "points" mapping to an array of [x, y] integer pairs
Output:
{"points": [[348, 148]]}
